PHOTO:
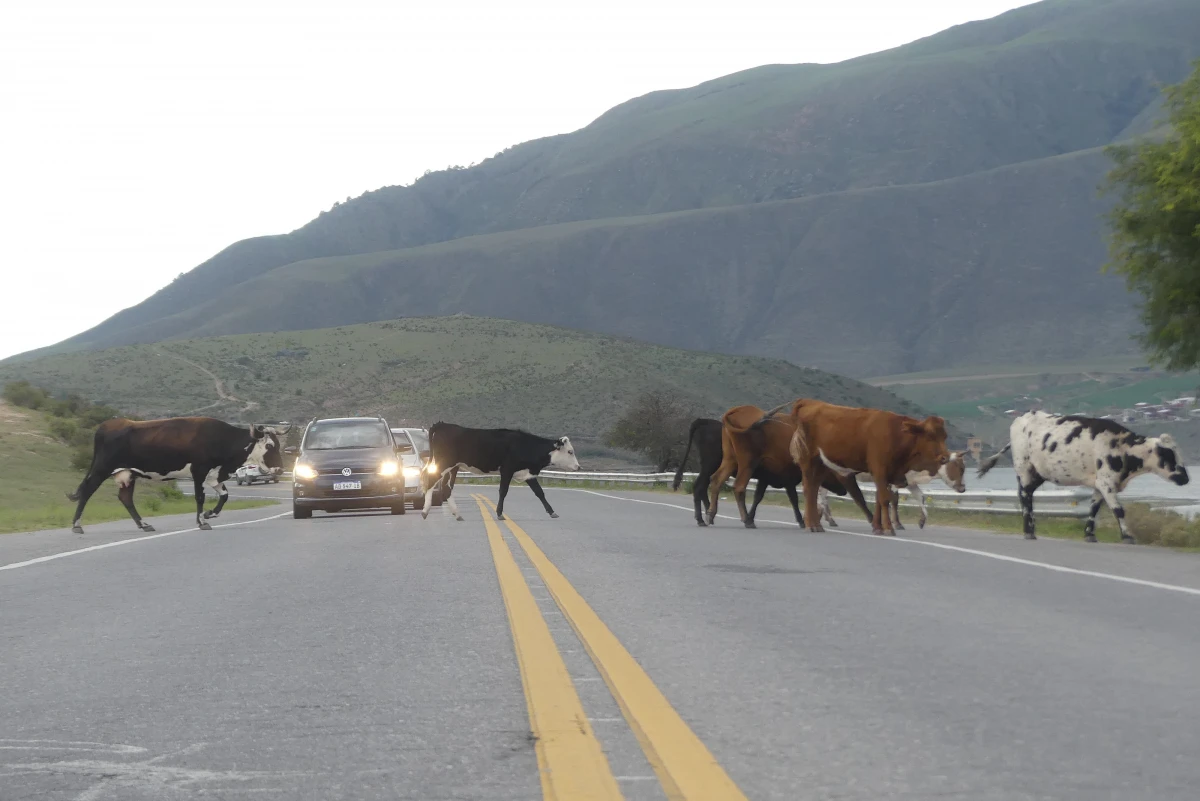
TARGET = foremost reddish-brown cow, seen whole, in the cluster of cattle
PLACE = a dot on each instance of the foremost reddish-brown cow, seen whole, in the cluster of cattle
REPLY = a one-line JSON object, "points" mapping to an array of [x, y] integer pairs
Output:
{"points": [[848, 441]]}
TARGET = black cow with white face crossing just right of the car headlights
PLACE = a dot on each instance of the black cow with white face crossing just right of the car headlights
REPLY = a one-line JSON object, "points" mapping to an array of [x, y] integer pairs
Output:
{"points": [[483, 451]]}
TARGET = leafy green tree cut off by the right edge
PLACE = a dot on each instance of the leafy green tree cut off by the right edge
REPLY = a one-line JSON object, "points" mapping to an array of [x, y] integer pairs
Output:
{"points": [[1155, 237]]}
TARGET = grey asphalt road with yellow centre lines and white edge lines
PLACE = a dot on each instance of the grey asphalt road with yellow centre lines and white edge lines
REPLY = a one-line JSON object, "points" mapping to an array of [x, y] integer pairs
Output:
{"points": [[370, 657]]}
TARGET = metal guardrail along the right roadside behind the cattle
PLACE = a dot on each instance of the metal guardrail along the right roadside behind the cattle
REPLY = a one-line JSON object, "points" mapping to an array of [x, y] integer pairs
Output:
{"points": [[1069, 502]]}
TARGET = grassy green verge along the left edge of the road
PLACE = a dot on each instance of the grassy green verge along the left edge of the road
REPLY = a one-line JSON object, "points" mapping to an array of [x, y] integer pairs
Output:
{"points": [[35, 477]]}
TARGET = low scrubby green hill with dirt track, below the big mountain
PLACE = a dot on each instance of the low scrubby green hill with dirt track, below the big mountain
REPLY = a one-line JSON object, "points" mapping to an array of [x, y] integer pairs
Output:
{"points": [[477, 372]]}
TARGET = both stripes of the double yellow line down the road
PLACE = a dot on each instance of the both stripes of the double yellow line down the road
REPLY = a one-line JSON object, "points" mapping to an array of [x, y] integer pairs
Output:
{"points": [[571, 758]]}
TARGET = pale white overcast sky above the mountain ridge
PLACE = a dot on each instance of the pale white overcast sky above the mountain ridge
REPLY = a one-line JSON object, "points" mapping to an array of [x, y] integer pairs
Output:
{"points": [[141, 138]]}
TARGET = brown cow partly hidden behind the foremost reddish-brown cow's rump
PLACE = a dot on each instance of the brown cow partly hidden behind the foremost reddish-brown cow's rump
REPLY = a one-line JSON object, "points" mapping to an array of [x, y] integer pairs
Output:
{"points": [[757, 442]]}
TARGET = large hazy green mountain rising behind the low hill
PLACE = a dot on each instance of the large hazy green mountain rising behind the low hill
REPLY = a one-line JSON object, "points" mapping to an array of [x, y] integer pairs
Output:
{"points": [[923, 208]]}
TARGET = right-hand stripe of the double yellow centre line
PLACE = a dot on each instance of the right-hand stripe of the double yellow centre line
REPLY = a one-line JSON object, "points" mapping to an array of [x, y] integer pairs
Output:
{"points": [[685, 766]]}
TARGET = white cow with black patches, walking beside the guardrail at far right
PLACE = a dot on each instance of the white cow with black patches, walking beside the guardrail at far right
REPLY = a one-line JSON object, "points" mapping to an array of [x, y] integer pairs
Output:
{"points": [[1077, 451]]}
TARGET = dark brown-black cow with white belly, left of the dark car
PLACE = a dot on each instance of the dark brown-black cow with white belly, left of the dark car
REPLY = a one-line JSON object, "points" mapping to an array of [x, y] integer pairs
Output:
{"points": [[206, 450]]}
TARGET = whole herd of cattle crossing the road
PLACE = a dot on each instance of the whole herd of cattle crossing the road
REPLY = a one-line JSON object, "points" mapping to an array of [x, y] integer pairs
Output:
{"points": [[807, 443]]}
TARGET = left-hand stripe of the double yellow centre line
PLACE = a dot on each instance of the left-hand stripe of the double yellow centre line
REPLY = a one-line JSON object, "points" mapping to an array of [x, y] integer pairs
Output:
{"points": [[571, 761]]}
